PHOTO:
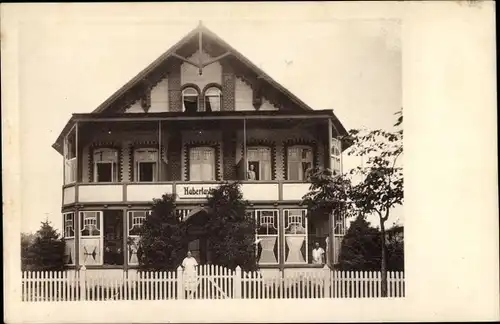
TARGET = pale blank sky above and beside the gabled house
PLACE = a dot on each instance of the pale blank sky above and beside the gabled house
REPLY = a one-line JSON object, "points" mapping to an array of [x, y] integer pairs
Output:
{"points": [[73, 57]]}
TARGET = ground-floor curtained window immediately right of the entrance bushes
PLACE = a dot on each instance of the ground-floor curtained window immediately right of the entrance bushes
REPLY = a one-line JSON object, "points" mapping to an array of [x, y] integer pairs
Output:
{"points": [[266, 237]]}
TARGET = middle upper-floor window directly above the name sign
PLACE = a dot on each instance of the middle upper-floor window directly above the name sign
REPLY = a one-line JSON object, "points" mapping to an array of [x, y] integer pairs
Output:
{"points": [[202, 164]]}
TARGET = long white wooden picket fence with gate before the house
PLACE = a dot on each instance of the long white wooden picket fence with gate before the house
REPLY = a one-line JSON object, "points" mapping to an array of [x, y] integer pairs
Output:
{"points": [[211, 282]]}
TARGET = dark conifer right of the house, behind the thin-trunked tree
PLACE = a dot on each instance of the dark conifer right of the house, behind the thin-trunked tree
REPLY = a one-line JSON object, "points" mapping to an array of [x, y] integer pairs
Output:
{"points": [[360, 250]]}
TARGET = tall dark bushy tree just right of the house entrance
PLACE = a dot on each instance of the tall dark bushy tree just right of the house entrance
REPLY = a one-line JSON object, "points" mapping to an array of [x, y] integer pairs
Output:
{"points": [[232, 232]]}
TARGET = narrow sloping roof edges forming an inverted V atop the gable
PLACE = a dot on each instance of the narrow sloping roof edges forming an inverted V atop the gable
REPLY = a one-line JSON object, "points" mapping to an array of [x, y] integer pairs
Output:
{"points": [[168, 54]]}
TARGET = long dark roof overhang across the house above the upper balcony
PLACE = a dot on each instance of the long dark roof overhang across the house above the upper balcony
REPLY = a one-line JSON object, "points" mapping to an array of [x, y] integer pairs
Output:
{"points": [[200, 117]]}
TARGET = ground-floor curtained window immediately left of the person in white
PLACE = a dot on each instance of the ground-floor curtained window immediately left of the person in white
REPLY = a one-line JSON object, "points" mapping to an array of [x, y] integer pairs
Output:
{"points": [[296, 249]]}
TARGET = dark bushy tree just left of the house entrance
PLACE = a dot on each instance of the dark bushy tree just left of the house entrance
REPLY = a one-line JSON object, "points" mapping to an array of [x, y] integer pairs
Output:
{"points": [[162, 238]]}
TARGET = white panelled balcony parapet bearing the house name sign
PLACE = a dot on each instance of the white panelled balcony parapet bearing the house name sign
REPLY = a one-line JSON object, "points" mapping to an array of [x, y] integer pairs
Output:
{"points": [[188, 192]]}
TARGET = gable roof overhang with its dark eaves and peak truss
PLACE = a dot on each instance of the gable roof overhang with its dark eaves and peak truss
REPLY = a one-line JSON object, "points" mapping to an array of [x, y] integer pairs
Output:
{"points": [[200, 38]]}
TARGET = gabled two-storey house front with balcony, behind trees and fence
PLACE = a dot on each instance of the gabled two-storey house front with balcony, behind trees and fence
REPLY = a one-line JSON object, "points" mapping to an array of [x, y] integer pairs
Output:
{"points": [[199, 115]]}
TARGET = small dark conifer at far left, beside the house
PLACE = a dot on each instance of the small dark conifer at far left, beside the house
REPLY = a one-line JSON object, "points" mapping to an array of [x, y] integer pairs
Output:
{"points": [[46, 252]]}
